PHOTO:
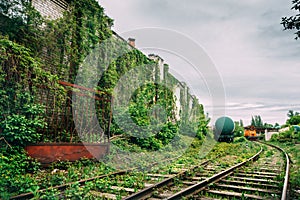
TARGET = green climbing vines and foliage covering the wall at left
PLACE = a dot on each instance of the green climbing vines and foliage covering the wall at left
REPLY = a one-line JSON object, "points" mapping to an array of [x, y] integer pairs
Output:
{"points": [[36, 53]]}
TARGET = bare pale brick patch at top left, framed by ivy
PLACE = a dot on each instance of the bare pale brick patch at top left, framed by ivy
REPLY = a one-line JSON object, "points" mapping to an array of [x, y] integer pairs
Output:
{"points": [[51, 9]]}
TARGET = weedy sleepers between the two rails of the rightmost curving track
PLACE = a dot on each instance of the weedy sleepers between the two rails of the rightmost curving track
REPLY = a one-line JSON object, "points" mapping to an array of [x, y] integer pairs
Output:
{"points": [[263, 179]]}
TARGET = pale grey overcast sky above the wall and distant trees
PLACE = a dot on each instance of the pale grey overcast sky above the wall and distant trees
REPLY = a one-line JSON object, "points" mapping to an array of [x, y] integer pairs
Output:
{"points": [[258, 62]]}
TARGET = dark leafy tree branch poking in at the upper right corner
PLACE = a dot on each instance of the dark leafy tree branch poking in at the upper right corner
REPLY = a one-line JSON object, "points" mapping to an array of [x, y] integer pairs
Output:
{"points": [[293, 22]]}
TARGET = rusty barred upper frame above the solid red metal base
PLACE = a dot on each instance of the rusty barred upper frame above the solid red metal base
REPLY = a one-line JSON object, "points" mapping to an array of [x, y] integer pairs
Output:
{"points": [[64, 124]]}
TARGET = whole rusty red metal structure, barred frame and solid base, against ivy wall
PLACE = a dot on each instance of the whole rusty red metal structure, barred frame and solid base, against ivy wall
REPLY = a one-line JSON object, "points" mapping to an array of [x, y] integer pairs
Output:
{"points": [[78, 123]]}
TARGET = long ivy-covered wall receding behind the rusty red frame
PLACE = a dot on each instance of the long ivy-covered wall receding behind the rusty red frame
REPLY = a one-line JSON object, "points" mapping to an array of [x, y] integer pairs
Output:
{"points": [[136, 83]]}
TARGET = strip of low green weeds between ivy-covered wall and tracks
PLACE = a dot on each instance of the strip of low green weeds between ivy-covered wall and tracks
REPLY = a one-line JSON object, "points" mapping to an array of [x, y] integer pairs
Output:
{"points": [[66, 172]]}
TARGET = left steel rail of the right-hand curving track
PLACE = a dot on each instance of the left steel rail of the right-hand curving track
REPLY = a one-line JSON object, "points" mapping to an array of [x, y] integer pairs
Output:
{"points": [[203, 184]]}
